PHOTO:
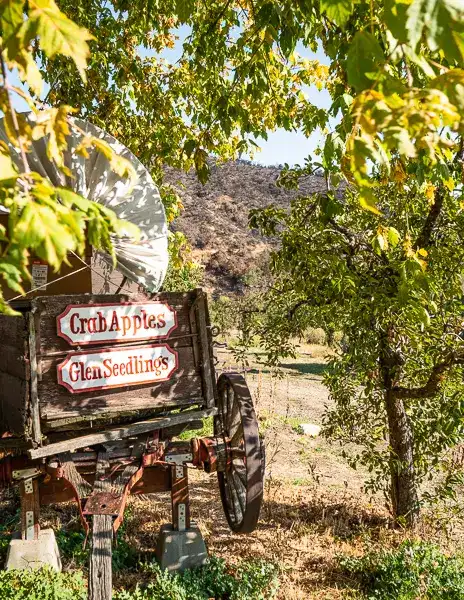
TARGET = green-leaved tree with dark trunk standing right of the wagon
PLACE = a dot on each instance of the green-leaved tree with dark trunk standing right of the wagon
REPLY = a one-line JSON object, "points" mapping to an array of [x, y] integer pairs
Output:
{"points": [[394, 286]]}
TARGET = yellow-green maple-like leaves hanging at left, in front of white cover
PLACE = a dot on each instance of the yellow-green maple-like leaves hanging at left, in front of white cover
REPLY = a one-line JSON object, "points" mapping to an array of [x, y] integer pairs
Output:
{"points": [[44, 220]]}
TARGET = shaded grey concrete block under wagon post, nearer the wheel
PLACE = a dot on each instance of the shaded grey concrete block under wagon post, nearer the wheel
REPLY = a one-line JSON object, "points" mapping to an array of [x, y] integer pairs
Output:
{"points": [[179, 550]]}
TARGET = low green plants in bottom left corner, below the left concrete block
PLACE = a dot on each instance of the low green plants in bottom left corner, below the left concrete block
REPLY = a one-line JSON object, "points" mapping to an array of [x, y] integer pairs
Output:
{"points": [[41, 584]]}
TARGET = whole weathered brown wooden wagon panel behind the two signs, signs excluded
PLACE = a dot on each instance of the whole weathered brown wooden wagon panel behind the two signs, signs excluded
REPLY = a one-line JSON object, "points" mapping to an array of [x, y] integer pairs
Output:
{"points": [[59, 406]]}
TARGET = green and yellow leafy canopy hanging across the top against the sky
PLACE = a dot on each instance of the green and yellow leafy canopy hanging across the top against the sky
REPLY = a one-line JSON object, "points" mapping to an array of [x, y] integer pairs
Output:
{"points": [[394, 71]]}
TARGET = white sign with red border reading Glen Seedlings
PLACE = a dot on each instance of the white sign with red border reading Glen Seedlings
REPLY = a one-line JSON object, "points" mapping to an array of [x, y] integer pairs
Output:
{"points": [[117, 367]]}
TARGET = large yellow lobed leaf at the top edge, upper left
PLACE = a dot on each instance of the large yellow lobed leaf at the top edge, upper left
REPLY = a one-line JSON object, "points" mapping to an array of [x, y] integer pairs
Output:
{"points": [[58, 34]]}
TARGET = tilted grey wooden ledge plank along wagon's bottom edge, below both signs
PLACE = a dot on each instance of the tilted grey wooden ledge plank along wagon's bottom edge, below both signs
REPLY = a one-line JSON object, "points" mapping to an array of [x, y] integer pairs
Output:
{"points": [[120, 433]]}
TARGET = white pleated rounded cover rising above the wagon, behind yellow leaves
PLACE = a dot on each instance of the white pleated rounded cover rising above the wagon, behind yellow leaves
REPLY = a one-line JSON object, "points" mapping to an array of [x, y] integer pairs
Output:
{"points": [[142, 261]]}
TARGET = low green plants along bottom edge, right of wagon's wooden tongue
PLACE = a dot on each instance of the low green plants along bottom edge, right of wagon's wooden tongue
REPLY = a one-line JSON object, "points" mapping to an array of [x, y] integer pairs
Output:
{"points": [[255, 580]]}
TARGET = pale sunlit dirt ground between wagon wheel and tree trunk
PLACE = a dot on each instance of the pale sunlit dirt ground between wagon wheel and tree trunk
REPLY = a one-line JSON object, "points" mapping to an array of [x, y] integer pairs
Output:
{"points": [[283, 404]]}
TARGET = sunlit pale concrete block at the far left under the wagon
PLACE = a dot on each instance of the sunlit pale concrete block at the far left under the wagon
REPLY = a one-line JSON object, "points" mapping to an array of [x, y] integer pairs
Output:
{"points": [[33, 554]]}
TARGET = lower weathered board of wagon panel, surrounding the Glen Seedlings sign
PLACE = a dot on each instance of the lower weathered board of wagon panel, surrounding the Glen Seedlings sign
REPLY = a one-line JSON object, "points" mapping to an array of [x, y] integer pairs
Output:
{"points": [[57, 402]]}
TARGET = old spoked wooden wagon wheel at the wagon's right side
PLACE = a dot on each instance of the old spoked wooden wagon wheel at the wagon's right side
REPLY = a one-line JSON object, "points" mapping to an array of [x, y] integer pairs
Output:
{"points": [[241, 481]]}
